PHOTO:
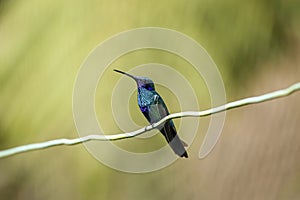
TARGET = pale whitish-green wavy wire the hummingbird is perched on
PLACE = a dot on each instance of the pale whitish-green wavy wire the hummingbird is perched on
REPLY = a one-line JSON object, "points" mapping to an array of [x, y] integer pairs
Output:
{"points": [[251, 100]]}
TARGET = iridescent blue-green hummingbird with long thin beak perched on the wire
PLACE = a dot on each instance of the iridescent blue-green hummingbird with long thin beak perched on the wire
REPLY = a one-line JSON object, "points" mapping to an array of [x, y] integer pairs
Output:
{"points": [[154, 109]]}
